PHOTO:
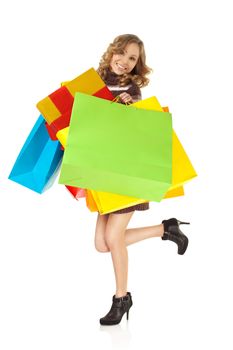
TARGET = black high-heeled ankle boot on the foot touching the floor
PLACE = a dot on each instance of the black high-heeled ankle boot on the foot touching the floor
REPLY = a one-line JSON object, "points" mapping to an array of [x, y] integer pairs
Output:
{"points": [[119, 307]]}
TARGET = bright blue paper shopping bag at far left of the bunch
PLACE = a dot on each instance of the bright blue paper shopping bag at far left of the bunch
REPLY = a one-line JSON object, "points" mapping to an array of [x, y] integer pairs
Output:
{"points": [[39, 159]]}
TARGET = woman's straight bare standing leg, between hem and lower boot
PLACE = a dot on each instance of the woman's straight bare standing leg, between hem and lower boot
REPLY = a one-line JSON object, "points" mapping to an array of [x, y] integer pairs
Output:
{"points": [[115, 240]]}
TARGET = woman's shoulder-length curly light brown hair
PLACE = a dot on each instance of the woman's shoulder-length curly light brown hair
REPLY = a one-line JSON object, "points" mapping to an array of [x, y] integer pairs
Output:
{"points": [[138, 74]]}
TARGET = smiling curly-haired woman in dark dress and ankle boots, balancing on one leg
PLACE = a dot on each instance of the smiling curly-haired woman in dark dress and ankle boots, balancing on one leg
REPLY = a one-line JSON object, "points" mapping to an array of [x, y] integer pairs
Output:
{"points": [[123, 68]]}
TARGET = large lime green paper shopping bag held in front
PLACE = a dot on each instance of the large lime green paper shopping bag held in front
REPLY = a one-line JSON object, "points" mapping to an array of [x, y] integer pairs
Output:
{"points": [[116, 148]]}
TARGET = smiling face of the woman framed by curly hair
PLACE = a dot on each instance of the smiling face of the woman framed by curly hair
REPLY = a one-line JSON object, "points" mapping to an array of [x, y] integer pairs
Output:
{"points": [[125, 61]]}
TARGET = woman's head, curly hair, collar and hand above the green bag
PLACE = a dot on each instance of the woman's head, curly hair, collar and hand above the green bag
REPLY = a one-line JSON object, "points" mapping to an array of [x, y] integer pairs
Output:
{"points": [[123, 68]]}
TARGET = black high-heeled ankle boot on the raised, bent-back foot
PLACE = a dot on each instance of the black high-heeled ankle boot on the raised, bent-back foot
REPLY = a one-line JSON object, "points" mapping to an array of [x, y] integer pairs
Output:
{"points": [[173, 233]]}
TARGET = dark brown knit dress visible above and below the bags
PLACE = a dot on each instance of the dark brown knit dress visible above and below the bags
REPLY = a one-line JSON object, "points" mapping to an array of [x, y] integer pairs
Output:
{"points": [[111, 81]]}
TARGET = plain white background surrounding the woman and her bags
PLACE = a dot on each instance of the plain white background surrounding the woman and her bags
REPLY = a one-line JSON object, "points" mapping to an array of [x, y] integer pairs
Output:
{"points": [[54, 284]]}
